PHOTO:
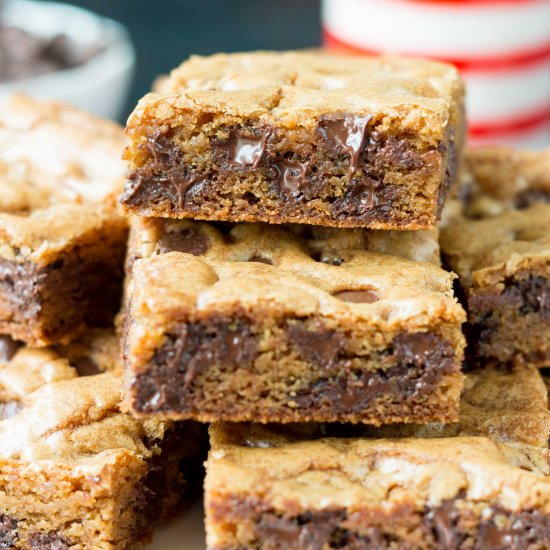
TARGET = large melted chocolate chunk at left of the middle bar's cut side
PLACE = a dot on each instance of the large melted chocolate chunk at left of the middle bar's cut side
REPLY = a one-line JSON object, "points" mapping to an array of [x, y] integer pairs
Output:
{"points": [[192, 349]]}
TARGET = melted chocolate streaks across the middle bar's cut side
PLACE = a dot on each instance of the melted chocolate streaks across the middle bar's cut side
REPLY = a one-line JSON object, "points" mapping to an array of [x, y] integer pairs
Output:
{"points": [[416, 362]]}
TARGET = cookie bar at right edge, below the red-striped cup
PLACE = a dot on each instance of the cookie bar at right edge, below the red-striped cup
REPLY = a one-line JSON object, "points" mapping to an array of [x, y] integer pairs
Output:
{"points": [[498, 241]]}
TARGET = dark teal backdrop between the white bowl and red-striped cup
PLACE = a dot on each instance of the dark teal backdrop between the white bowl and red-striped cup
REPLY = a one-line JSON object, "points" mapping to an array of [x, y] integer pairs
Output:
{"points": [[165, 32]]}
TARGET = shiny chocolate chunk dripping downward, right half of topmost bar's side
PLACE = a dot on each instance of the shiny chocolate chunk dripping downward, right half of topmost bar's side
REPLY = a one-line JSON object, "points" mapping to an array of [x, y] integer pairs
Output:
{"points": [[346, 135]]}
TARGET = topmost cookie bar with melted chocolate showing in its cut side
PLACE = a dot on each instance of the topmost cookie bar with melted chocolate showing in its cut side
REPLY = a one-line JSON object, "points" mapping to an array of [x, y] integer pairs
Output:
{"points": [[304, 137]]}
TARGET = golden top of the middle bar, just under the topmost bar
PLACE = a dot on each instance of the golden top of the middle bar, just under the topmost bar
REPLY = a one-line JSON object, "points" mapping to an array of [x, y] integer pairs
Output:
{"points": [[202, 266]]}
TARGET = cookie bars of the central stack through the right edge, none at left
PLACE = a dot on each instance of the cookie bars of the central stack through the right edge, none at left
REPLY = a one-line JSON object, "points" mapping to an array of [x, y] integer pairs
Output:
{"points": [[285, 284]]}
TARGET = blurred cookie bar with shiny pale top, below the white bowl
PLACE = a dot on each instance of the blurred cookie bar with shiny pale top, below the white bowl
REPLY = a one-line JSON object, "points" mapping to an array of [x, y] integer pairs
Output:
{"points": [[62, 240]]}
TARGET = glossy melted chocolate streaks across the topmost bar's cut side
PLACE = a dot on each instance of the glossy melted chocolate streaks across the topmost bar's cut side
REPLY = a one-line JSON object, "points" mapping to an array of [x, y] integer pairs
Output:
{"points": [[245, 150]]}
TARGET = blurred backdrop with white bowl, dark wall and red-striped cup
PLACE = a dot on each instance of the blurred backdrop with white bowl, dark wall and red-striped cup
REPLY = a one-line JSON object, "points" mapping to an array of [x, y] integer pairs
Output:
{"points": [[103, 55]]}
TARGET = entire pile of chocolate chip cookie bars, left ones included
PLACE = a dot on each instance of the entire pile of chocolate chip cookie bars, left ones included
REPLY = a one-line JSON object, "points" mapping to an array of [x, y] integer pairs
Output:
{"points": [[301, 232]]}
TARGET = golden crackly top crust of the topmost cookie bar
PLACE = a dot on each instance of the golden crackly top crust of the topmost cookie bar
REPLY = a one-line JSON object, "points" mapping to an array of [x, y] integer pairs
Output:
{"points": [[295, 88]]}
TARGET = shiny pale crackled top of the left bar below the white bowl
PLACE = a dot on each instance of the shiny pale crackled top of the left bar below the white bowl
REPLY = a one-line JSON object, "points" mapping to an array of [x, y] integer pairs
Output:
{"points": [[60, 174]]}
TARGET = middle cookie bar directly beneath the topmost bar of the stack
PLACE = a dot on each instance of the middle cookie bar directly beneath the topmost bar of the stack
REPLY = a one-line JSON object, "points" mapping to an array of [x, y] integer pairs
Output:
{"points": [[255, 322]]}
